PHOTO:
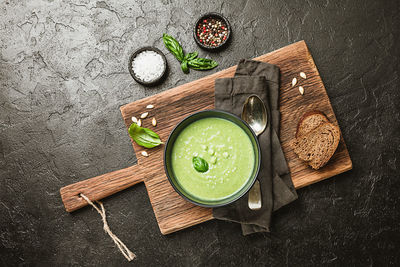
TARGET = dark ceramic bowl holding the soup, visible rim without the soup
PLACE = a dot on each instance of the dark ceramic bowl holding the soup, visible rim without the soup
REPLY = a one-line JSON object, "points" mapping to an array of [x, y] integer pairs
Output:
{"points": [[175, 133]]}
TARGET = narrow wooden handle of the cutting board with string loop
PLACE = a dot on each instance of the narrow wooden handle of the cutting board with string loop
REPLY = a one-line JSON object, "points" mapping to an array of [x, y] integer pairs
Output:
{"points": [[100, 186]]}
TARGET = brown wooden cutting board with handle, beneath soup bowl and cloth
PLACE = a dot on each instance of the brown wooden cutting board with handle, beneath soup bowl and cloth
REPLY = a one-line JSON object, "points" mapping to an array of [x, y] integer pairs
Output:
{"points": [[173, 212]]}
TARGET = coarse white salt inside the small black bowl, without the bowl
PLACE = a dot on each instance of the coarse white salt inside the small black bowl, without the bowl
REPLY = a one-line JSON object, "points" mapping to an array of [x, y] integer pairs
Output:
{"points": [[148, 66]]}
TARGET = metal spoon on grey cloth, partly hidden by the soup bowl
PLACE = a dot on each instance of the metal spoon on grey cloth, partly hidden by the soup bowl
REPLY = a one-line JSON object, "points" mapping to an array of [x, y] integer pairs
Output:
{"points": [[255, 114]]}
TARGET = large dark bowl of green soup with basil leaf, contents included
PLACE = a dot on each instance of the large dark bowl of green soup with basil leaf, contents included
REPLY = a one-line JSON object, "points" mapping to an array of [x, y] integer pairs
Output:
{"points": [[212, 158]]}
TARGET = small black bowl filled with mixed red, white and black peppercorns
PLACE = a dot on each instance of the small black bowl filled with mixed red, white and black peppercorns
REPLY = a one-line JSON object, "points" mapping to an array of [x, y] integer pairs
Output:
{"points": [[212, 31]]}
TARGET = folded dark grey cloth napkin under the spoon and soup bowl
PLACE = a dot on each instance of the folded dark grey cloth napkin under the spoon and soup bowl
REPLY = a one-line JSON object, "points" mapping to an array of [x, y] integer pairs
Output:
{"points": [[261, 79]]}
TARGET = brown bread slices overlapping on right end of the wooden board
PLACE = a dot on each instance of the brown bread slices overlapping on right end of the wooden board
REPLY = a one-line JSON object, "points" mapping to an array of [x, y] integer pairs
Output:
{"points": [[316, 139]]}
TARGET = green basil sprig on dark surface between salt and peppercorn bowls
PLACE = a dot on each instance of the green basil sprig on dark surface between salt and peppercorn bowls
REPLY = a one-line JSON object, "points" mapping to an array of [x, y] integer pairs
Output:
{"points": [[190, 60]]}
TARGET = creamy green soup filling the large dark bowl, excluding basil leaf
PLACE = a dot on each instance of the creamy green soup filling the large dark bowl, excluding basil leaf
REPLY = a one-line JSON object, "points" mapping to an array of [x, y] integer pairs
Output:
{"points": [[226, 148]]}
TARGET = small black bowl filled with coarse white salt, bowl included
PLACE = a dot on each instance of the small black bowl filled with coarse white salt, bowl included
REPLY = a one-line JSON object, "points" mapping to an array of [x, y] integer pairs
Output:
{"points": [[148, 66]]}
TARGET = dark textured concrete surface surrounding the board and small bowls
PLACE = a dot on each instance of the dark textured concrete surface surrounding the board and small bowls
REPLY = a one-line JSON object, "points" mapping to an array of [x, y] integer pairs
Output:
{"points": [[63, 77]]}
